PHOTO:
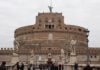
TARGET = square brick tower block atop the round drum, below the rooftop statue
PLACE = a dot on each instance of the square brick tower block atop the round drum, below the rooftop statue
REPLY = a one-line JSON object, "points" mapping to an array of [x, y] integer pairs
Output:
{"points": [[49, 21]]}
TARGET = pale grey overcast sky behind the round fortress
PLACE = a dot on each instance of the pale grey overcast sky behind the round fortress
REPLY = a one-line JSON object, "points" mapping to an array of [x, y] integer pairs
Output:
{"points": [[18, 13]]}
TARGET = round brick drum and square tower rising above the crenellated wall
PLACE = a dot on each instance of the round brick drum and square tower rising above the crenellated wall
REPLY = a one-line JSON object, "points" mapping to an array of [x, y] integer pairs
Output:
{"points": [[51, 32]]}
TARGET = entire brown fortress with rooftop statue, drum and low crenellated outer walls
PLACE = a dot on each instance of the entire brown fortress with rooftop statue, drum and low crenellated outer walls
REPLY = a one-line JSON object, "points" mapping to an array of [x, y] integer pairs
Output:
{"points": [[50, 39]]}
